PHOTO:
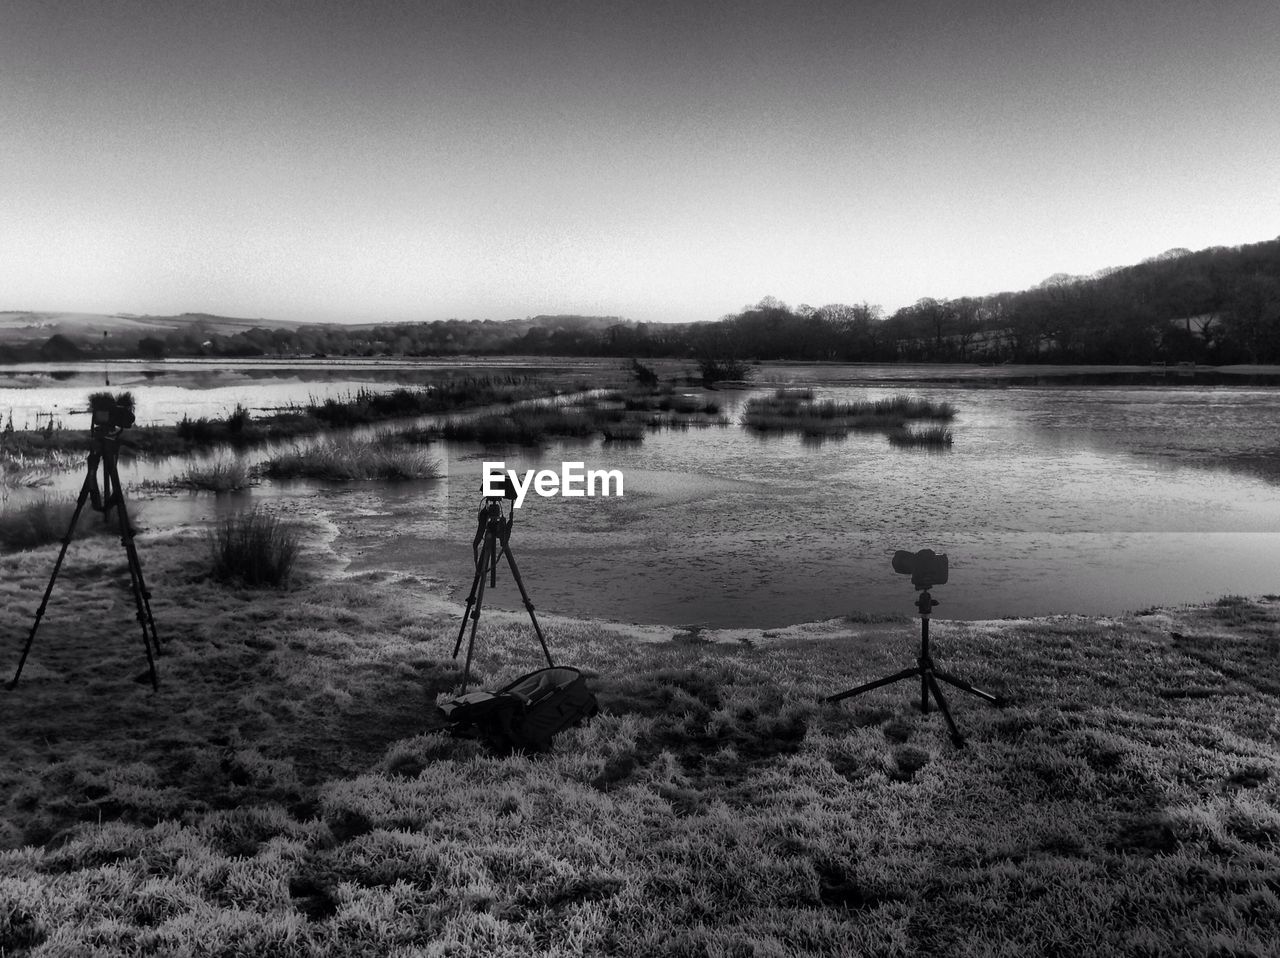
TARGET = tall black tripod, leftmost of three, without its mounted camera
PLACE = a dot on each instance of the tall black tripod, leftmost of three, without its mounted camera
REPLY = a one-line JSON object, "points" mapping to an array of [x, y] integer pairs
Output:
{"points": [[104, 451]]}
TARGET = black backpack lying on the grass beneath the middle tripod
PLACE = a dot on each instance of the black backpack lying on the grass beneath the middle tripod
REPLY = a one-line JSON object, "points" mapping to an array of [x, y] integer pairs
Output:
{"points": [[528, 714]]}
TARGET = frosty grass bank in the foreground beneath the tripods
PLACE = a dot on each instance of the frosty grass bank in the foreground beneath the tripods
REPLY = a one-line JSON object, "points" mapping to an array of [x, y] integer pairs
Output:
{"points": [[289, 791]]}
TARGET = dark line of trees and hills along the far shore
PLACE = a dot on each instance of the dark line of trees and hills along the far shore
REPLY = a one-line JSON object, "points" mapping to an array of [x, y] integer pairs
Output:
{"points": [[1219, 305]]}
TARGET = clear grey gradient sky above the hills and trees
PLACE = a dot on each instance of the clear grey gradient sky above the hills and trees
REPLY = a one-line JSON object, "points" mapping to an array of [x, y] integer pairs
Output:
{"points": [[371, 161]]}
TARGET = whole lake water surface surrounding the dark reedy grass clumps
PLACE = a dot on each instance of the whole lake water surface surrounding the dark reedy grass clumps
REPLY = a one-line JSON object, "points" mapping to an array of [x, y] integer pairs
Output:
{"points": [[1087, 491]]}
